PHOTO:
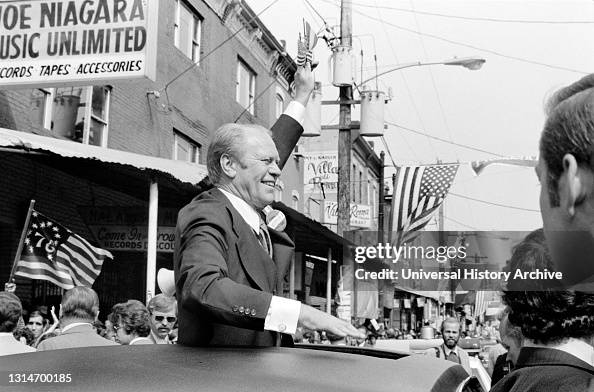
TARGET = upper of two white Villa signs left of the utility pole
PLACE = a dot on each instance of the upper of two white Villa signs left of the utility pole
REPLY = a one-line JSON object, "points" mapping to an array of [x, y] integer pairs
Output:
{"points": [[321, 168]]}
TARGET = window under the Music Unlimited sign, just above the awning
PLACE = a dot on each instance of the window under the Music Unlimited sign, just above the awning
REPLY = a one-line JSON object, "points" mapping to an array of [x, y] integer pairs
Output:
{"points": [[80, 114]]}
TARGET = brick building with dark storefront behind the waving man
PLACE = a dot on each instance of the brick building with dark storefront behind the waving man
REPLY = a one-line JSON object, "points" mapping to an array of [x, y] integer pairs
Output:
{"points": [[207, 75]]}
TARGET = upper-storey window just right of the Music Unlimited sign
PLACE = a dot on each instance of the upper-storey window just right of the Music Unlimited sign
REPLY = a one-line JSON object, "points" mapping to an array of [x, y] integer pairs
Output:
{"points": [[188, 30]]}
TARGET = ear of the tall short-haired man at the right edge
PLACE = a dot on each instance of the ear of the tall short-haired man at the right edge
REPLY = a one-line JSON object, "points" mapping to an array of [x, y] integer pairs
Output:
{"points": [[572, 185]]}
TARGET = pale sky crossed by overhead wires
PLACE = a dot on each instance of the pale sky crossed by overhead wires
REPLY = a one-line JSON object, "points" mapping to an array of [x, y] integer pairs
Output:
{"points": [[498, 109]]}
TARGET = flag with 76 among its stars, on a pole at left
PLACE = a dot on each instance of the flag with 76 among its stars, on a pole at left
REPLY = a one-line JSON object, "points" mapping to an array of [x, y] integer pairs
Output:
{"points": [[54, 253]]}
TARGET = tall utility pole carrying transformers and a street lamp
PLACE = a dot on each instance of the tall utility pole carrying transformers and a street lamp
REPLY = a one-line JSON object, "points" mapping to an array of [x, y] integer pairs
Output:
{"points": [[344, 129]]}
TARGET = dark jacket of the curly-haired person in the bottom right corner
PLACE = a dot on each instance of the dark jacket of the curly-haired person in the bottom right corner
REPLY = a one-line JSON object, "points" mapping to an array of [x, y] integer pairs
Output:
{"points": [[546, 369]]}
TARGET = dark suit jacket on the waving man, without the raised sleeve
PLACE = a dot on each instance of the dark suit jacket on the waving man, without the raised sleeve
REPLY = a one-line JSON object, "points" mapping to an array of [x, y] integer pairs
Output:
{"points": [[224, 278]]}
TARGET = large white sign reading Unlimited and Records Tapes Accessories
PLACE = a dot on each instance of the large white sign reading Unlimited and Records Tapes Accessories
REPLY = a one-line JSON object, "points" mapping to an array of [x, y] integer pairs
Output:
{"points": [[64, 42]]}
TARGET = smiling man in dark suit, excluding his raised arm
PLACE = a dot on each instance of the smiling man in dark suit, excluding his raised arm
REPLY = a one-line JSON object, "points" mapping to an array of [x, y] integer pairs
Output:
{"points": [[228, 265]]}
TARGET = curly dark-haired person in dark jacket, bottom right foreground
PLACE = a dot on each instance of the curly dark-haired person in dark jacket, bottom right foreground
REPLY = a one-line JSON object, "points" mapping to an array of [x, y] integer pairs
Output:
{"points": [[557, 328]]}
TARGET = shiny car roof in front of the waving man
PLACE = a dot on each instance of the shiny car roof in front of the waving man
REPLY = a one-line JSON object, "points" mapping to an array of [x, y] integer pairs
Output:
{"points": [[179, 368]]}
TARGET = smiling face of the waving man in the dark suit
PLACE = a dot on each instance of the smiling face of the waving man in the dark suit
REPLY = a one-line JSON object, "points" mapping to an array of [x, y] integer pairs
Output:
{"points": [[256, 169]]}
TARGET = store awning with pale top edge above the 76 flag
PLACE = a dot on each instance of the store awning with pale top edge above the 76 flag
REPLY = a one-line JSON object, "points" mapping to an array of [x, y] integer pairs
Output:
{"points": [[125, 171]]}
